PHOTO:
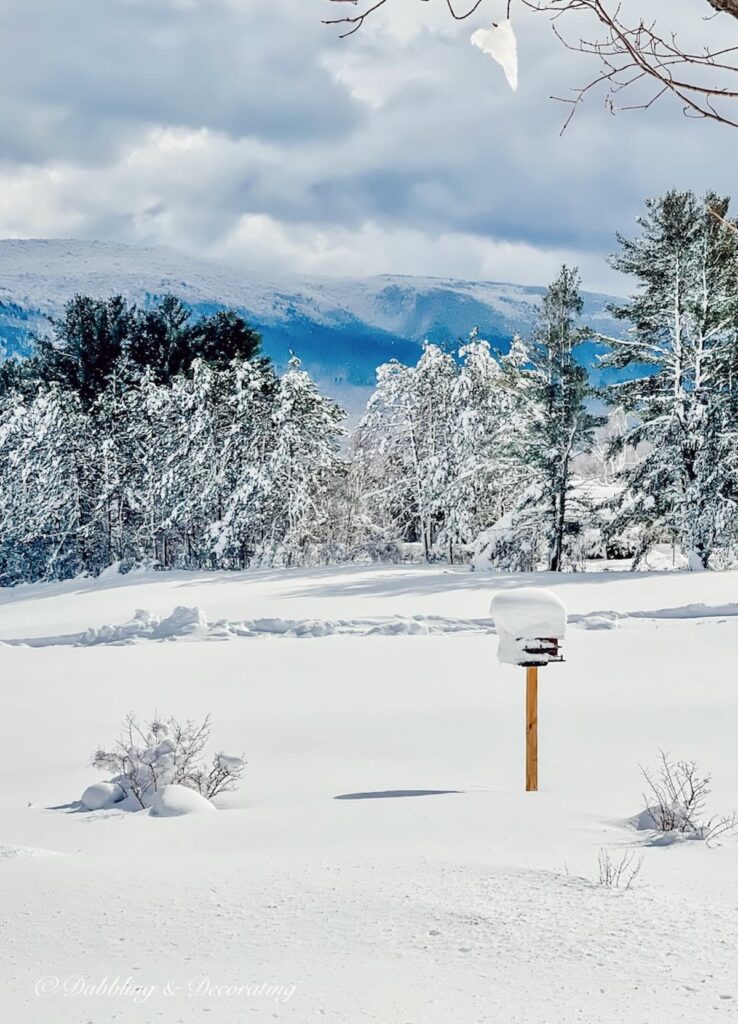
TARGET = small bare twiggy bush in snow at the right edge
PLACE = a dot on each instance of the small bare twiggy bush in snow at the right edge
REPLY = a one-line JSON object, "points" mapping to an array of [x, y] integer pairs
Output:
{"points": [[676, 801]]}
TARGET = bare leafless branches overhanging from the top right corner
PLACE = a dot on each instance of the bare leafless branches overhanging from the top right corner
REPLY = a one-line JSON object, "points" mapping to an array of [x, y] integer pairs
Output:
{"points": [[640, 60]]}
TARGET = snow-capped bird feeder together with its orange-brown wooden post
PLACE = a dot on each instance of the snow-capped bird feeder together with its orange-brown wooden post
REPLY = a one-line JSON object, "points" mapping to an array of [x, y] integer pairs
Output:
{"points": [[531, 624]]}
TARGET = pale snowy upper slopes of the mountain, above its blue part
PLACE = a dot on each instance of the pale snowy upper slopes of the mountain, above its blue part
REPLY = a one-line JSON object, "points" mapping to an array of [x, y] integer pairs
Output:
{"points": [[44, 274]]}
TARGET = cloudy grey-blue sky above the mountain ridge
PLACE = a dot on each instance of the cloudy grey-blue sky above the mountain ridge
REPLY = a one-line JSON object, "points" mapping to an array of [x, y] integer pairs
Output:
{"points": [[245, 131]]}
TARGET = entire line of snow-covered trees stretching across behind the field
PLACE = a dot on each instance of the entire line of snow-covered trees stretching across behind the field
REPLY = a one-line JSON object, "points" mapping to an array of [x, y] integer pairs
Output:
{"points": [[149, 437]]}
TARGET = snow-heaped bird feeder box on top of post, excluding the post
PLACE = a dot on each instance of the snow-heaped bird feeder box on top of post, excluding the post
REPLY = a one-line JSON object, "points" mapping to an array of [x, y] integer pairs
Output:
{"points": [[531, 622]]}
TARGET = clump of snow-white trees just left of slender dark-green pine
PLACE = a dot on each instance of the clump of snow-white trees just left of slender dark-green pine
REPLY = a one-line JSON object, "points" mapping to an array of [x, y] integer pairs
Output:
{"points": [[436, 447]]}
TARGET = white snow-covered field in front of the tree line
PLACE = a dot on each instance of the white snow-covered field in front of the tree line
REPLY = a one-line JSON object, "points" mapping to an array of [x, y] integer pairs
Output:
{"points": [[381, 862]]}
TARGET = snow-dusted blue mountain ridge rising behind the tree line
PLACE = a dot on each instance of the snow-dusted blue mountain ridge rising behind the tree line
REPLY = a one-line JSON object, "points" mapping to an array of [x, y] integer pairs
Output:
{"points": [[341, 329]]}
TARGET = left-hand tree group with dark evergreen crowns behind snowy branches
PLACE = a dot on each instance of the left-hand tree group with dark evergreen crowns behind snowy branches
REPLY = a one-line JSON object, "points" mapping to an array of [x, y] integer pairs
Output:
{"points": [[147, 437]]}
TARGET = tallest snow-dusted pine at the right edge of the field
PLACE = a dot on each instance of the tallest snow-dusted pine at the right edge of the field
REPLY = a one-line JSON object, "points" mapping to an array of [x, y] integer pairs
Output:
{"points": [[682, 399]]}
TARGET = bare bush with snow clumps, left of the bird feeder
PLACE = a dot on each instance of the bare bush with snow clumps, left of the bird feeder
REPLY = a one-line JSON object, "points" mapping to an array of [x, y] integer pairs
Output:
{"points": [[148, 757]]}
